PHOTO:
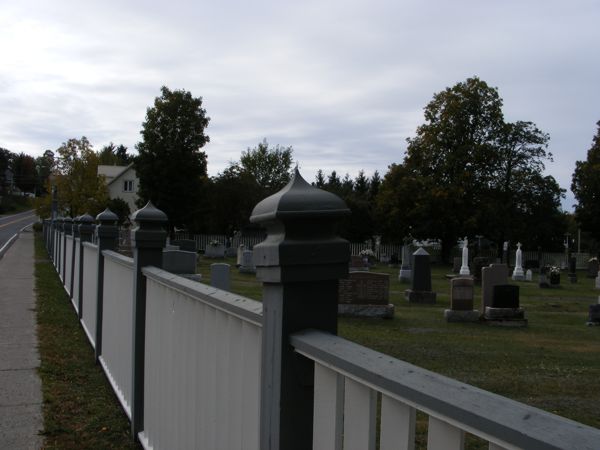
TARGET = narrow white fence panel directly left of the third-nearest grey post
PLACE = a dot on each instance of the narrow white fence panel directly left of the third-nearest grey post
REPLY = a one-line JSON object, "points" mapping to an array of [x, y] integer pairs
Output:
{"points": [[89, 294]]}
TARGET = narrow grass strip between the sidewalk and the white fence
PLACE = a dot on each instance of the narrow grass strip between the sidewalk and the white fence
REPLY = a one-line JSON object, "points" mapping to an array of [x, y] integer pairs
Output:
{"points": [[79, 408]]}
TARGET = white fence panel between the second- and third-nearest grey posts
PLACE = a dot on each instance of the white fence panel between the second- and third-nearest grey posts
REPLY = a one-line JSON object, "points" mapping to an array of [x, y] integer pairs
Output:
{"points": [[117, 331]]}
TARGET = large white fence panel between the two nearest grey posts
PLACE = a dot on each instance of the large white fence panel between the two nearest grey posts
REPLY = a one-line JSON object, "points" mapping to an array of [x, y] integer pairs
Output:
{"points": [[202, 366]]}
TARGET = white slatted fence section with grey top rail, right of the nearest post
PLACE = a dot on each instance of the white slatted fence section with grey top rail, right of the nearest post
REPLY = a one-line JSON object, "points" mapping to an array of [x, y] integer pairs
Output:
{"points": [[349, 377]]}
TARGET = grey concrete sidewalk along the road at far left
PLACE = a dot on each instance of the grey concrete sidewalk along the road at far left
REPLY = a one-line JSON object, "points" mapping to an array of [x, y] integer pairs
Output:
{"points": [[20, 386]]}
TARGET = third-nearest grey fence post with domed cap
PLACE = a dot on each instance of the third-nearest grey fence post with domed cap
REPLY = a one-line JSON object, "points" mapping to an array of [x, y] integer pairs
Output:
{"points": [[107, 234]]}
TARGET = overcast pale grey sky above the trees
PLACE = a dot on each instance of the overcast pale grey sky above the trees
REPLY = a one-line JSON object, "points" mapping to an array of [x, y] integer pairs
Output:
{"points": [[343, 82]]}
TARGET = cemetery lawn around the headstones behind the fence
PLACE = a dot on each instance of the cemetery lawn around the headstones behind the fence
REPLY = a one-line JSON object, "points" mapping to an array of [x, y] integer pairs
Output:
{"points": [[553, 363]]}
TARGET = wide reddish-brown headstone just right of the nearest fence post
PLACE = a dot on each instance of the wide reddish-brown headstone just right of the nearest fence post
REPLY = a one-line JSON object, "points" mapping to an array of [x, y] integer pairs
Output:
{"points": [[365, 294]]}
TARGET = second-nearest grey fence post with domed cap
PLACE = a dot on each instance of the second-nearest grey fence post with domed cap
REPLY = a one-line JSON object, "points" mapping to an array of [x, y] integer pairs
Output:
{"points": [[148, 239]]}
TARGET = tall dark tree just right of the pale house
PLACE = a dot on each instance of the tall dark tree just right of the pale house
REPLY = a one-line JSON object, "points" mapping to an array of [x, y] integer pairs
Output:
{"points": [[170, 165]]}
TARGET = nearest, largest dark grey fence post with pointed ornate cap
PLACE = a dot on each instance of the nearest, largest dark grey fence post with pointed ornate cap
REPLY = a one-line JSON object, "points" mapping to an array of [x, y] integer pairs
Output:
{"points": [[299, 264]]}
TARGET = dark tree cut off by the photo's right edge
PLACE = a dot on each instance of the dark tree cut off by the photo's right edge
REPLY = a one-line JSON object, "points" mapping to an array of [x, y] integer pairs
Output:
{"points": [[586, 187]]}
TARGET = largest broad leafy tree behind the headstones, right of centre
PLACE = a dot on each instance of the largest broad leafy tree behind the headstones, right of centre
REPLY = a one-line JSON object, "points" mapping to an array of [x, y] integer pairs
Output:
{"points": [[468, 172]]}
